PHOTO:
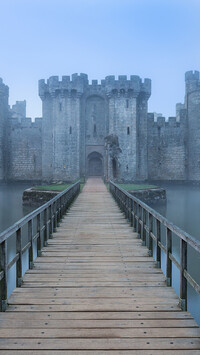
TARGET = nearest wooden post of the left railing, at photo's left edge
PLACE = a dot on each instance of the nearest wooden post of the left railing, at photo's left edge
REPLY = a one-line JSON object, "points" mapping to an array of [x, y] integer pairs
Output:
{"points": [[4, 281]]}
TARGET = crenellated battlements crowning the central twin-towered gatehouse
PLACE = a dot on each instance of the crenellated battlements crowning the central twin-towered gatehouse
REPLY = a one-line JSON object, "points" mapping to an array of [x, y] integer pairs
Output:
{"points": [[76, 85]]}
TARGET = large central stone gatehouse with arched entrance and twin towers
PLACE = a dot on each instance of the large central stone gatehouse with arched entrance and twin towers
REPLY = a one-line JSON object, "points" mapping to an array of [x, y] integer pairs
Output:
{"points": [[94, 129]]}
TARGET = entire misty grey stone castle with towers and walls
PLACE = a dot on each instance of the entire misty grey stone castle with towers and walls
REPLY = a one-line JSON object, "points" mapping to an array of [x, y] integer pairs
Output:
{"points": [[100, 129]]}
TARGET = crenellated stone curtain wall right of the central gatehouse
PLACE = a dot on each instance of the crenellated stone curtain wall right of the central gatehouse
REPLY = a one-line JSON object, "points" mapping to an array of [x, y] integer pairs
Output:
{"points": [[166, 148]]}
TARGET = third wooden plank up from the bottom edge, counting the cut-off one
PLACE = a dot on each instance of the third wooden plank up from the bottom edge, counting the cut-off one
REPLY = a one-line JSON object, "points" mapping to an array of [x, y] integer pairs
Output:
{"points": [[109, 332]]}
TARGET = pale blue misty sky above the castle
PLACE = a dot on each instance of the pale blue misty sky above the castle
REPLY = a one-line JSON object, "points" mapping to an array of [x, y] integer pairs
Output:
{"points": [[157, 39]]}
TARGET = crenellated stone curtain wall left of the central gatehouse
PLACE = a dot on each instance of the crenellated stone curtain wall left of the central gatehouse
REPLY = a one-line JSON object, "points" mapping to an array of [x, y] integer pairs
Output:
{"points": [[25, 149]]}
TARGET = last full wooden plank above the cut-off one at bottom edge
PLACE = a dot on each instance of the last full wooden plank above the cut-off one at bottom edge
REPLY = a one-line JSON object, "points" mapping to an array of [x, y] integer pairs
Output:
{"points": [[102, 344]]}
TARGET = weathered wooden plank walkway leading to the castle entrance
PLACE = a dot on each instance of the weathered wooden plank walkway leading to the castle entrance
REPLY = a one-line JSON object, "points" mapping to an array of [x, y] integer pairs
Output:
{"points": [[95, 290]]}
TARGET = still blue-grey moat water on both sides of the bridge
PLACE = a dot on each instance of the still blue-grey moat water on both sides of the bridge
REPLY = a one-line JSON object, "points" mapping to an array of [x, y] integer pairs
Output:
{"points": [[182, 208]]}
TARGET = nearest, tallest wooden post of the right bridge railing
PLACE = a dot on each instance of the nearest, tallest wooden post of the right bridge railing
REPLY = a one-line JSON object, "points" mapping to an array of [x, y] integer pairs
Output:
{"points": [[183, 281]]}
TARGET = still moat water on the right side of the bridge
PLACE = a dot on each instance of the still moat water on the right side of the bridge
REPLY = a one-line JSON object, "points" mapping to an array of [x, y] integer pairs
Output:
{"points": [[183, 209]]}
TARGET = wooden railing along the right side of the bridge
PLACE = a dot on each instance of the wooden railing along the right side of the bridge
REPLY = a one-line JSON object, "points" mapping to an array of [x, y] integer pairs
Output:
{"points": [[148, 224]]}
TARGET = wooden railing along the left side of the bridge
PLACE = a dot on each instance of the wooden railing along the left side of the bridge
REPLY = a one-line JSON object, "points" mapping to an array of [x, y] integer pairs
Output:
{"points": [[37, 227]]}
